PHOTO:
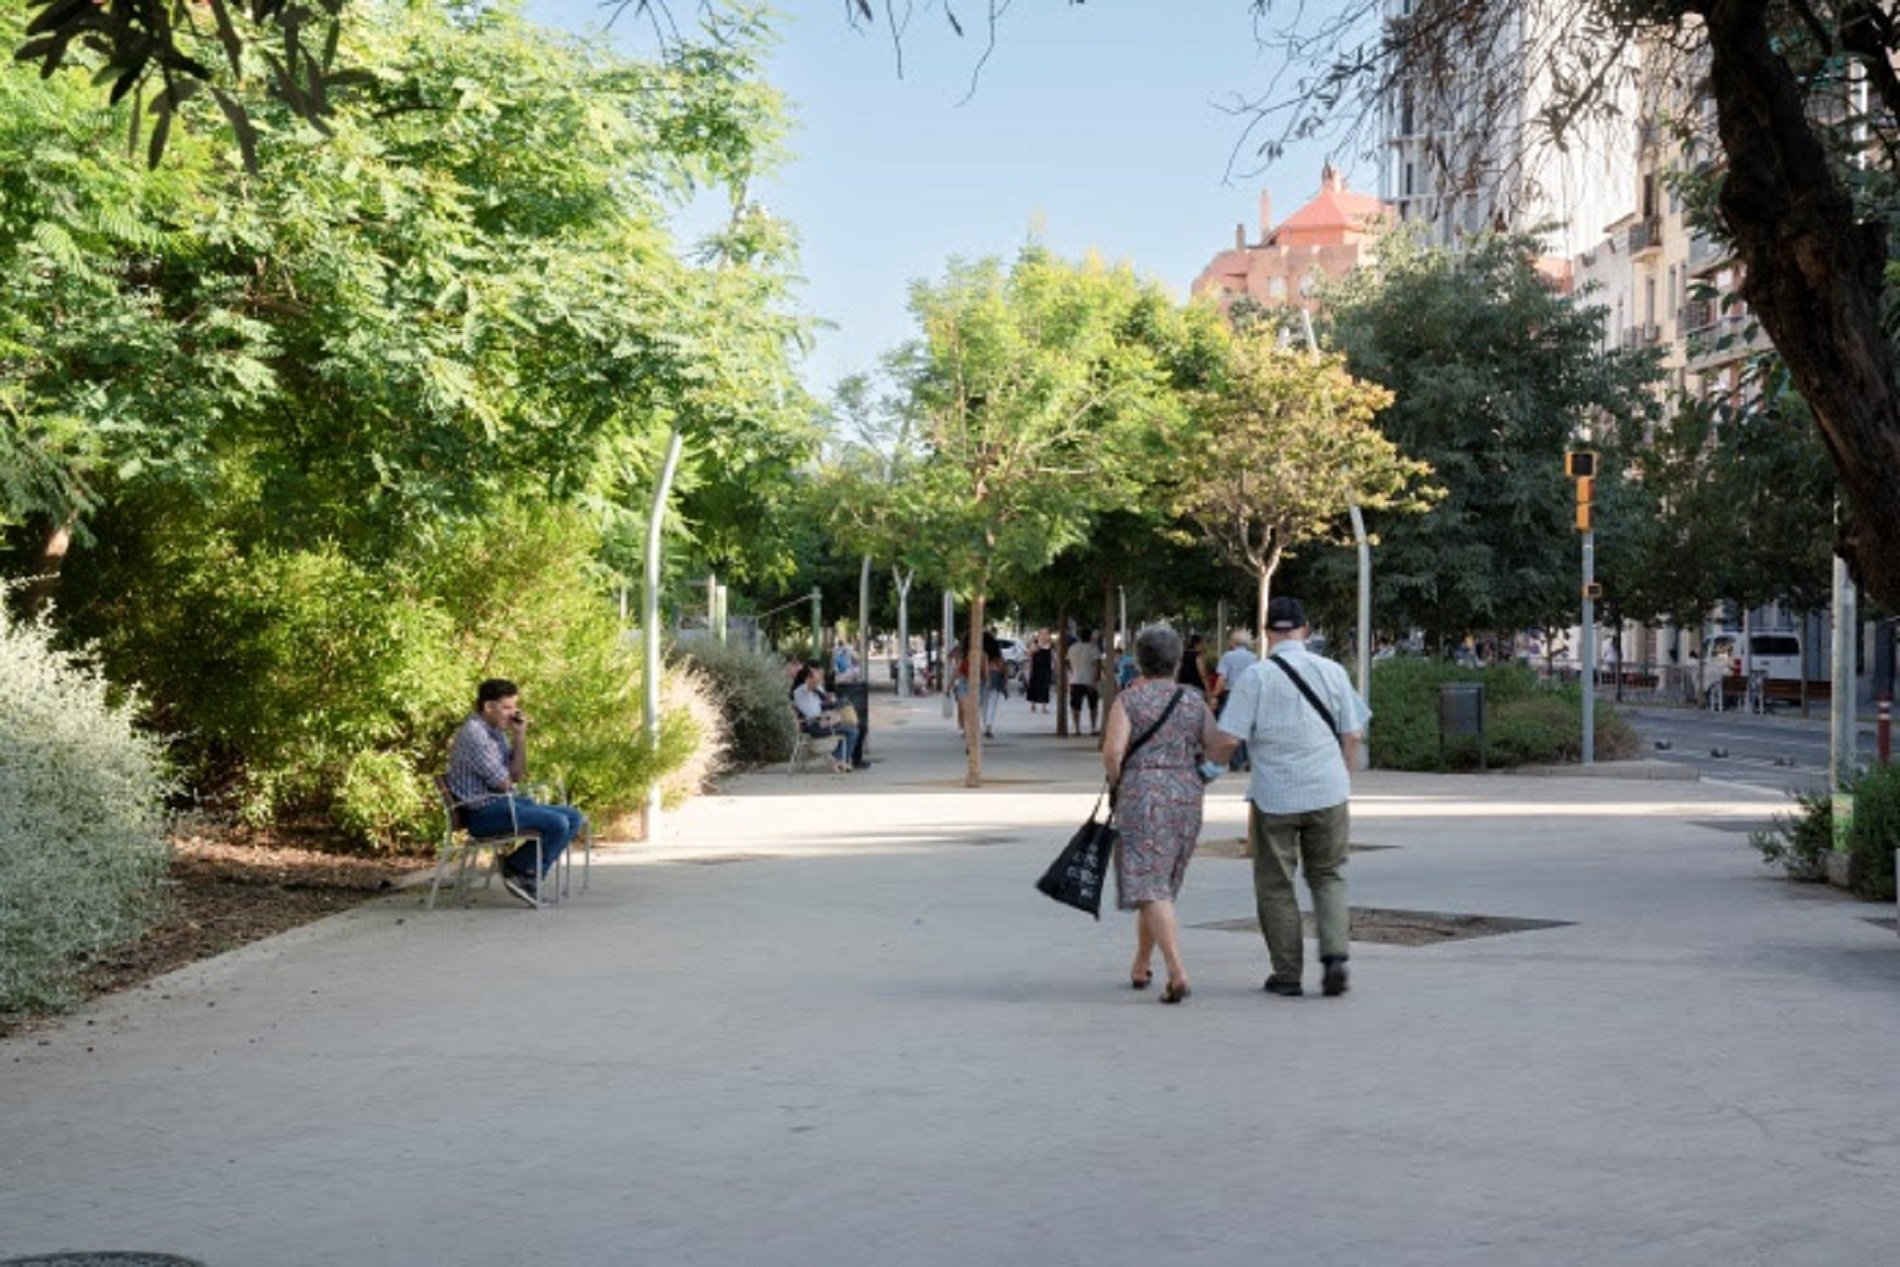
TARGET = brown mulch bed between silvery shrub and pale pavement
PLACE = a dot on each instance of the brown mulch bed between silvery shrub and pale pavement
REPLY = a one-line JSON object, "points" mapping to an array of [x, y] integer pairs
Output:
{"points": [[233, 888]]}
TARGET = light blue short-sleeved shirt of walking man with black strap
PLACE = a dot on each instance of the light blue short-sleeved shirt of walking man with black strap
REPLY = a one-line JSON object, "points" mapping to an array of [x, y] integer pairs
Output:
{"points": [[1297, 761]]}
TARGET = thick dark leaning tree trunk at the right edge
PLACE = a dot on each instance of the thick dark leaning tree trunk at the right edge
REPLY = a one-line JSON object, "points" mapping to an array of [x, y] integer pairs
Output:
{"points": [[1814, 278]]}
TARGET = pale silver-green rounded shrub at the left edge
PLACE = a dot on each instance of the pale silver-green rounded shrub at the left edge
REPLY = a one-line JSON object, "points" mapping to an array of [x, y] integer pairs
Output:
{"points": [[83, 820]]}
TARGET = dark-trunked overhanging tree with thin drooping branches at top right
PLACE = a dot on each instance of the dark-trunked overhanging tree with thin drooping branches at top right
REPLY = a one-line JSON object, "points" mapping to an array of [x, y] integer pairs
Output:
{"points": [[1808, 117]]}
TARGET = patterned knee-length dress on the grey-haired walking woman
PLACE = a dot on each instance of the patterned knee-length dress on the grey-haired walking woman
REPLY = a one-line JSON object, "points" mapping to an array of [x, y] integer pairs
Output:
{"points": [[1160, 803]]}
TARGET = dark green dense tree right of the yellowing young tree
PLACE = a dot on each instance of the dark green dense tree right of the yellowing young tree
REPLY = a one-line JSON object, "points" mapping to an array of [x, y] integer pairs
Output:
{"points": [[1492, 377]]}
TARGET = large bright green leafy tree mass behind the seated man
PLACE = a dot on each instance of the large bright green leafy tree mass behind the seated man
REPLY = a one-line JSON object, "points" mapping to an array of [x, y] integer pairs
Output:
{"points": [[465, 309]]}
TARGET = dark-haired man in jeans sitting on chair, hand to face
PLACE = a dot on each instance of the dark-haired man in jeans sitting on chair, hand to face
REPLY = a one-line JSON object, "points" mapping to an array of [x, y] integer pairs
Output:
{"points": [[487, 761]]}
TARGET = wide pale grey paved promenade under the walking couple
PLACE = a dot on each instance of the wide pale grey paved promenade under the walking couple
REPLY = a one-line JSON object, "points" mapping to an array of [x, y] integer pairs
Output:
{"points": [[829, 1023]]}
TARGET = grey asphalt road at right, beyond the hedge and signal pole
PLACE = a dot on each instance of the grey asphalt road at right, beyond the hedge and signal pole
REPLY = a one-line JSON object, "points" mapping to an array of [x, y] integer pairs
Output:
{"points": [[1781, 753]]}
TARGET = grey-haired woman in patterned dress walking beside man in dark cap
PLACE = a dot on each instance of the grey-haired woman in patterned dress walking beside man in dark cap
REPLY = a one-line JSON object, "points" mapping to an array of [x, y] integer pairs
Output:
{"points": [[1158, 732]]}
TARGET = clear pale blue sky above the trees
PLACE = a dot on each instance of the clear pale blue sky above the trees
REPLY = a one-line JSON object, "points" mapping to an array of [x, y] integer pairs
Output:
{"points": [[1095, 128]]}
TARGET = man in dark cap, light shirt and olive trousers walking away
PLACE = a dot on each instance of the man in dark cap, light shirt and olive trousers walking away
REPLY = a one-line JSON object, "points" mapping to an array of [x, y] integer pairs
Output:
{"points": [[1302, 723]]}
